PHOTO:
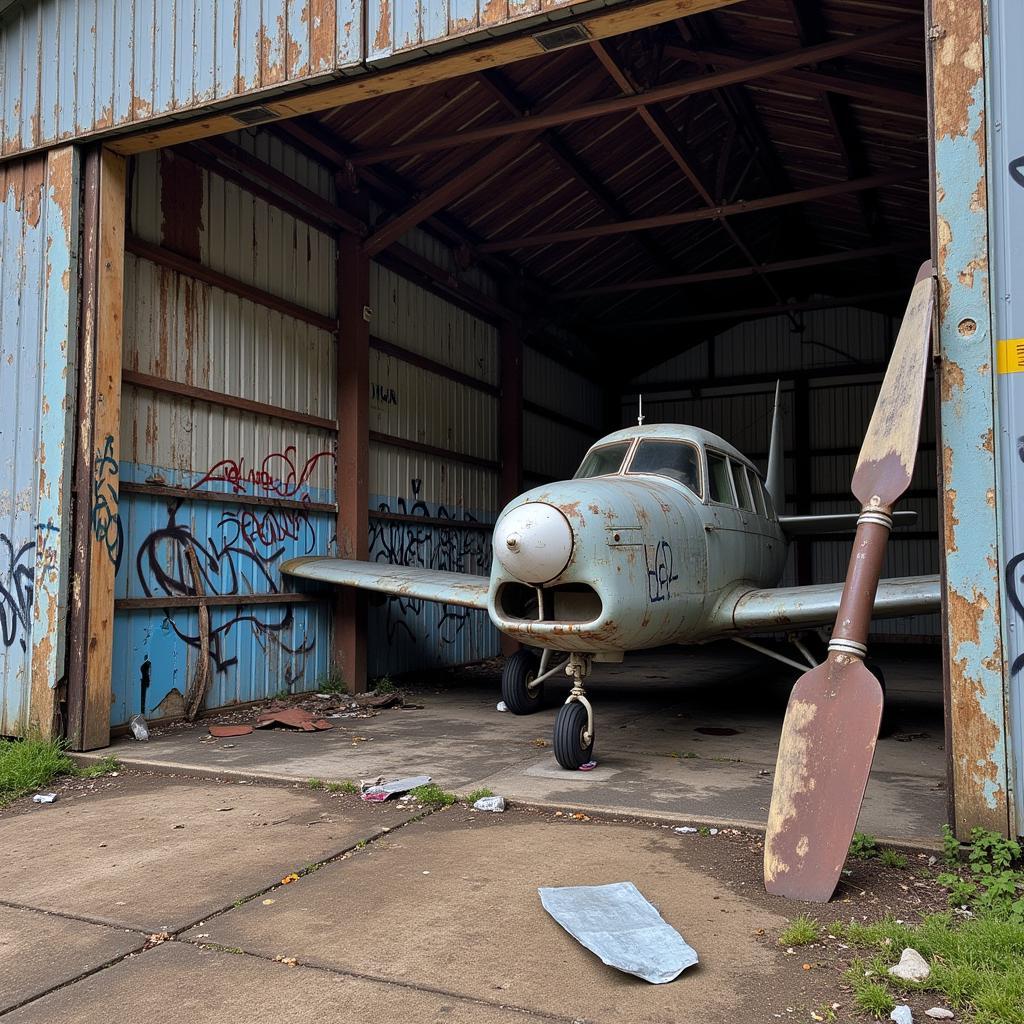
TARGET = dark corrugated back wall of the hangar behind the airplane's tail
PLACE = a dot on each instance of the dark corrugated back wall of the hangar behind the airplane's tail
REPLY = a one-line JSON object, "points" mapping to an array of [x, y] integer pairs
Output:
{"points": [[839, 407]]}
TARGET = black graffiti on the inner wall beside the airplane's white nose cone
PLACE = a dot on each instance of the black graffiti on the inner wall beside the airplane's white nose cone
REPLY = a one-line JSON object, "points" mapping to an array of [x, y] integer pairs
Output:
{"points": [[452, 549]]}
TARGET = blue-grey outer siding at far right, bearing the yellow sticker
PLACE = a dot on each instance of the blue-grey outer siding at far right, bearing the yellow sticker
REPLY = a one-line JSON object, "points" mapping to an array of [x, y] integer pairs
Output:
{"points": [[1006, 188]]}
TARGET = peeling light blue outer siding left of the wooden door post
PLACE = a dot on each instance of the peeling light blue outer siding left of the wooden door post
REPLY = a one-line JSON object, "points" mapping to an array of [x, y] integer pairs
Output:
{"points": [[38, 288]]}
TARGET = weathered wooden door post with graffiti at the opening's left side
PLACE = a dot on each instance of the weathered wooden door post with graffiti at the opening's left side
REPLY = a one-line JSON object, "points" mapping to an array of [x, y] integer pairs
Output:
{"points": [[107, 542]]}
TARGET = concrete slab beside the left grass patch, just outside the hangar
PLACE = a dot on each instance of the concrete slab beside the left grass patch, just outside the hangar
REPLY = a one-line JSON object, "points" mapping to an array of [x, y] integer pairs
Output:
{"points": [[161, 855]]}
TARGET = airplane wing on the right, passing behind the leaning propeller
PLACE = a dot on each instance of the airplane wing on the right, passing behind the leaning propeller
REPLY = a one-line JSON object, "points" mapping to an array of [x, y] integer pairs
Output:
{"points": [[784, 608]]}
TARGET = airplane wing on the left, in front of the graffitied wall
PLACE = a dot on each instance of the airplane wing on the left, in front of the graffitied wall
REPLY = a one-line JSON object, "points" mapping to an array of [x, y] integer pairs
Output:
{"points": [[399, 581]]}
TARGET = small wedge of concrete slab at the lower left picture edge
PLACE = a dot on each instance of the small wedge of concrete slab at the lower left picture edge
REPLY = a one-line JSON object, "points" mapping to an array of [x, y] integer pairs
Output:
{"points": [[42, 951]]}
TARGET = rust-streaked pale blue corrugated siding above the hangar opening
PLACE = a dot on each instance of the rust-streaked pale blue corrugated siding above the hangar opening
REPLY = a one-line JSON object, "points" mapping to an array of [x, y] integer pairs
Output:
{"points": [[72, 67]]}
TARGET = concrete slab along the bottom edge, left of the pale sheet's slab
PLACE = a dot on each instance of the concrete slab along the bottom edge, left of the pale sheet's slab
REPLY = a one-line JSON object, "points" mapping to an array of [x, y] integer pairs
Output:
{"points": [[178, 984]]}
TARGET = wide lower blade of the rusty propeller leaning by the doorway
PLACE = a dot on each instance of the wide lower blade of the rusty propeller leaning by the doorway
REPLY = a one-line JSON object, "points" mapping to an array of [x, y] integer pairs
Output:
{"points": [[825, 758]]}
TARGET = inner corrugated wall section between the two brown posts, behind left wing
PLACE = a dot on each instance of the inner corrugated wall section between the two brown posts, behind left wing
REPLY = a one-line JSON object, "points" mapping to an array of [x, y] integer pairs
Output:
{"points": [[442, 466]]}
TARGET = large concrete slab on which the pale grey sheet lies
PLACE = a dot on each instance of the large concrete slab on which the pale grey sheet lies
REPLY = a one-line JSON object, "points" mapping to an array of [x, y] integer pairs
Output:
{"points": [[452, 902]]}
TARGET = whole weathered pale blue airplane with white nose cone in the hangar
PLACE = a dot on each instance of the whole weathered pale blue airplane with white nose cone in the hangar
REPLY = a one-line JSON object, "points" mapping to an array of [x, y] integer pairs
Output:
{"points": [[666, 535]]}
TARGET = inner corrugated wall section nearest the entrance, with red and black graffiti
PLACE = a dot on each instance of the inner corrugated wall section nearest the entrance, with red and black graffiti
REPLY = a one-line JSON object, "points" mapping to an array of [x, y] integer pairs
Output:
{"points": [[280, 474]]}
